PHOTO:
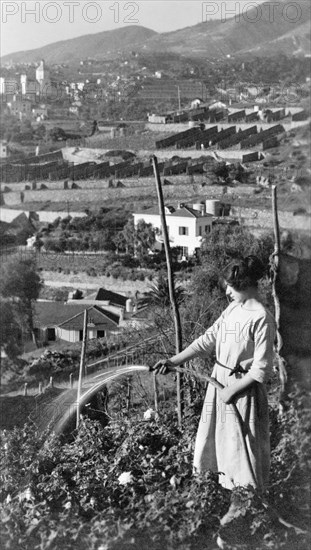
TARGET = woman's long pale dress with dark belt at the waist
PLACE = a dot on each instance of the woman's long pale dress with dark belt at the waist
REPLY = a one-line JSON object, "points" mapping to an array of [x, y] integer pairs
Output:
{"points": [[243, 334]]}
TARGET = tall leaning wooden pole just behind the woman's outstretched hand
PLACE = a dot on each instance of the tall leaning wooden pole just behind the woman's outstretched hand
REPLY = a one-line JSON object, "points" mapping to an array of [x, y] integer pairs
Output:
{"points": [[170, 278]]}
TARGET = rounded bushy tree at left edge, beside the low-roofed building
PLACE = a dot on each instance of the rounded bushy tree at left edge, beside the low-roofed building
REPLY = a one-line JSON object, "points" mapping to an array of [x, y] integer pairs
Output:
{"points": [[20, 282]]}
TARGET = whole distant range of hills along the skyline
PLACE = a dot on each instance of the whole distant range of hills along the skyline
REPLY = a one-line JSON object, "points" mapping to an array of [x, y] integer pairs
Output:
{"points": [[271, 30]]}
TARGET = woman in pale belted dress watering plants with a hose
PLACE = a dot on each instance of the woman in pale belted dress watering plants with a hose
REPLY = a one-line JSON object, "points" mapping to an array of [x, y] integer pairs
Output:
{"points": [[243, 338]]}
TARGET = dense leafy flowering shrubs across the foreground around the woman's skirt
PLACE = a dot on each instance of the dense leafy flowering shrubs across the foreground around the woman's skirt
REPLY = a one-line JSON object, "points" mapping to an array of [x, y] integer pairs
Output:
{"points": [[72, 494]]}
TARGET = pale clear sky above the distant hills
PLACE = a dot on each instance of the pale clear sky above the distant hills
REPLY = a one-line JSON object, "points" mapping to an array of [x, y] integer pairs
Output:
{"points": [[29, 24]]}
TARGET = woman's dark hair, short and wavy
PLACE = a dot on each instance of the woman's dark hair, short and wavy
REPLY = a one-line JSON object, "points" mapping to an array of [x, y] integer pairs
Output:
{"points": [[241, 274]]}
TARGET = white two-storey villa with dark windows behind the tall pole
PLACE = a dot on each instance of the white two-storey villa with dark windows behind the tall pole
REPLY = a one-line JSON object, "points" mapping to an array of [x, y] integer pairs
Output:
{"points": [[186, 226]]}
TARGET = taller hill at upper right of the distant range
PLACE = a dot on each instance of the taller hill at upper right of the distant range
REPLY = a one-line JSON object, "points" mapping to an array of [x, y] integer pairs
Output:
{"points": [[217, 38]]}
